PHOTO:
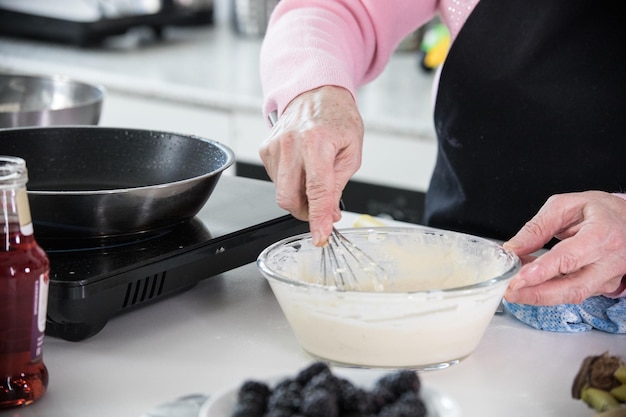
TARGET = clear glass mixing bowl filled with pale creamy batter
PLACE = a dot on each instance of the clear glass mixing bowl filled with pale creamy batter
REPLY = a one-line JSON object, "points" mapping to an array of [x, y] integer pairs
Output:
{"points": [[445, 287]]}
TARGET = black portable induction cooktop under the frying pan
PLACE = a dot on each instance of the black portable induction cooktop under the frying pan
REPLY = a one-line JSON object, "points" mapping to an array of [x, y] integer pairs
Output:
{"points": [[95, 279]]}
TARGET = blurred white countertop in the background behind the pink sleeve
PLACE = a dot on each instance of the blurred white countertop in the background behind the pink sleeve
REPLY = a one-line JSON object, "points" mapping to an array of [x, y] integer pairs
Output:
{"points": [[215, 68]]}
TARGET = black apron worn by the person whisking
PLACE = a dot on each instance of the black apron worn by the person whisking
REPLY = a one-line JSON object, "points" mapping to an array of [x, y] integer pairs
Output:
{"points": [[531, 102]]}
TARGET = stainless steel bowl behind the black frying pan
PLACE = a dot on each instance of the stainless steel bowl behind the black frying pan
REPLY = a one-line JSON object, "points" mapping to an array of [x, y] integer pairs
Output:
{"points": [[28, 100]]}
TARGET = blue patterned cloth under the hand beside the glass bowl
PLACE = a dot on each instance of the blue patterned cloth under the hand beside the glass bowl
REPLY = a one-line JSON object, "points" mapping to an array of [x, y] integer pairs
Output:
{"points": [[599, 312]]}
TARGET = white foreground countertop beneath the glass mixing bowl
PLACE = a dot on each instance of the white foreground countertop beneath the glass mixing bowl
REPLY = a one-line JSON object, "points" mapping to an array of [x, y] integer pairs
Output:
{"points": [[230, 327]]}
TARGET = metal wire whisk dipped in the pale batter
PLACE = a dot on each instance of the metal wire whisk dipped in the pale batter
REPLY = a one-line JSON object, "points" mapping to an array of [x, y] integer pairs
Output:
{"points": [[347, 267]]}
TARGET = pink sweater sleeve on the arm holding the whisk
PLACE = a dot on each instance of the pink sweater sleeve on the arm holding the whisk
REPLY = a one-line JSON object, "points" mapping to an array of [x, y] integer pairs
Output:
{"points": [[311, 43]]}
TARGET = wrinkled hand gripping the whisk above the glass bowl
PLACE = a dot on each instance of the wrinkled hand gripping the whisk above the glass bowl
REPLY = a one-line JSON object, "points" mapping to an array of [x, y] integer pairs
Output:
{"points": [[311, 153]]}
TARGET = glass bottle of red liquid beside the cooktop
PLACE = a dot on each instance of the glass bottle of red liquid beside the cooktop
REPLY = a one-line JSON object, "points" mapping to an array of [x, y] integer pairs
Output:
{"points": [[24, 279]]}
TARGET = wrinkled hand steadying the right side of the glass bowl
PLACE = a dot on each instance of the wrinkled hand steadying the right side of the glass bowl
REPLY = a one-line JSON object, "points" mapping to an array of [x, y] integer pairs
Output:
{"points": [[590, 258]]}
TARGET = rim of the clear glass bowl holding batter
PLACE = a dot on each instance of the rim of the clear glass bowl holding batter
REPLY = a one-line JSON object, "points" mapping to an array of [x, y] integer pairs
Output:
{"points": [[508, 274]]}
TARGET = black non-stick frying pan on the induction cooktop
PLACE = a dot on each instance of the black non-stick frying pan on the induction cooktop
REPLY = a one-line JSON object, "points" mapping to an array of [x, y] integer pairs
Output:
{"points": [[95, 181]]}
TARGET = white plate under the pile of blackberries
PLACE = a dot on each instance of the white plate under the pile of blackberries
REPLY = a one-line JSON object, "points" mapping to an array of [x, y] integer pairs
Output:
{"points": [[437, 403]]}
